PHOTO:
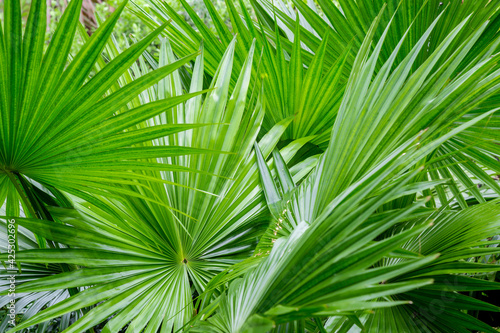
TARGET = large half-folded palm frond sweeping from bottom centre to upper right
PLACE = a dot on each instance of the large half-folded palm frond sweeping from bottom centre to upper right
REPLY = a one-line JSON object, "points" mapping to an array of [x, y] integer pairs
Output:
{"points": [[342, 180]]}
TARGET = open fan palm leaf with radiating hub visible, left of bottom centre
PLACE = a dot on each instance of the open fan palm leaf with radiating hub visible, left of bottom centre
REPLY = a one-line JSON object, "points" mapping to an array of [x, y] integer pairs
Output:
{"points": [[148, 256]]}
